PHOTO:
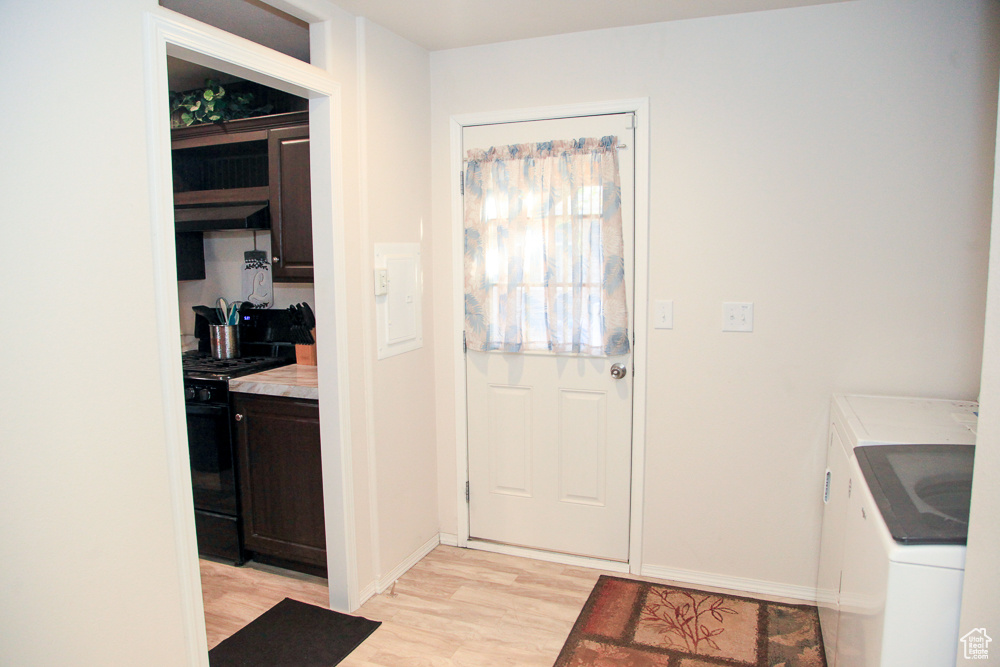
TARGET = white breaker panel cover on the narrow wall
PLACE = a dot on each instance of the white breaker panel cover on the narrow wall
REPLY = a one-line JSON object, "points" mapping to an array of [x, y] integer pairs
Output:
{"points": [[398, 290]]}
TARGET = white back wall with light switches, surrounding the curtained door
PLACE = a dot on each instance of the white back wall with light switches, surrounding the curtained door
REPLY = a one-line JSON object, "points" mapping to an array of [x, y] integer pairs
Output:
{"points": [[830, 164]]}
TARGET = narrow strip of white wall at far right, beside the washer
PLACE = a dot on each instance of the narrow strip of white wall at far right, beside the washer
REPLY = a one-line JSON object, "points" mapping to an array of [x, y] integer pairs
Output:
{"points": [[982, 585]]}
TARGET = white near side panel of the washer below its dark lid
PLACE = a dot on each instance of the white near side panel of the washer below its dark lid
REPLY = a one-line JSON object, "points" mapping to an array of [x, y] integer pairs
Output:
{"points": [[922, 613]]}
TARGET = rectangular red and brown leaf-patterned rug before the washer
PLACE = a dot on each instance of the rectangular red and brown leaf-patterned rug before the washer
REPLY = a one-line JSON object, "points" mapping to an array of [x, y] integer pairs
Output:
{"points": [[628, 623]]}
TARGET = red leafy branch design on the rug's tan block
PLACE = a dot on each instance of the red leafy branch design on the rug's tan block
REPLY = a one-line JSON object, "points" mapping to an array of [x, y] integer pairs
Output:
{"points": [[682, 622]]}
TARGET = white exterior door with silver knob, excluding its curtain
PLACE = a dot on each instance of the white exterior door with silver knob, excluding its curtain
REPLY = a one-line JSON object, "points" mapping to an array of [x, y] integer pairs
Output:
{"points": [[550, 436]]}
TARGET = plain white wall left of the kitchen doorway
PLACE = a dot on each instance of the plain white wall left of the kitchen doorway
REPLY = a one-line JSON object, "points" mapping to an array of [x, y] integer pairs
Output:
{"points": [[89, 570]]}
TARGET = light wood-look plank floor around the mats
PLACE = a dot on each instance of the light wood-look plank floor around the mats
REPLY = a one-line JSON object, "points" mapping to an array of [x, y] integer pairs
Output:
{"points": [[456, 607]]}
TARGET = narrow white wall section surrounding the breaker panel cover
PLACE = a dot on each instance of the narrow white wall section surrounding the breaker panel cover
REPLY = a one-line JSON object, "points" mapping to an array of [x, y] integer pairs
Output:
{"points": [[396, 132]]}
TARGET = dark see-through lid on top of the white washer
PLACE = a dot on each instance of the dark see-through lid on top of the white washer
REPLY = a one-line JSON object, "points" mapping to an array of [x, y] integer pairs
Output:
{"points": [[922, 491]]}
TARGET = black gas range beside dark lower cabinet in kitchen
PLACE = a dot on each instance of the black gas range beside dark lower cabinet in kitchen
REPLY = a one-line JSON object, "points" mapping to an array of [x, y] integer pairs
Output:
{"points": [[213, 470]]}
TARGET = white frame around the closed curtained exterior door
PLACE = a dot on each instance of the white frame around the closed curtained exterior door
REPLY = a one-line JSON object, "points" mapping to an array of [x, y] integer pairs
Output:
{"points": [[640, 107]]}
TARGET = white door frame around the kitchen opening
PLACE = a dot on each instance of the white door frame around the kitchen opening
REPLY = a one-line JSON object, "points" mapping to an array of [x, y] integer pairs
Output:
{"points": [[169, 33]]}
